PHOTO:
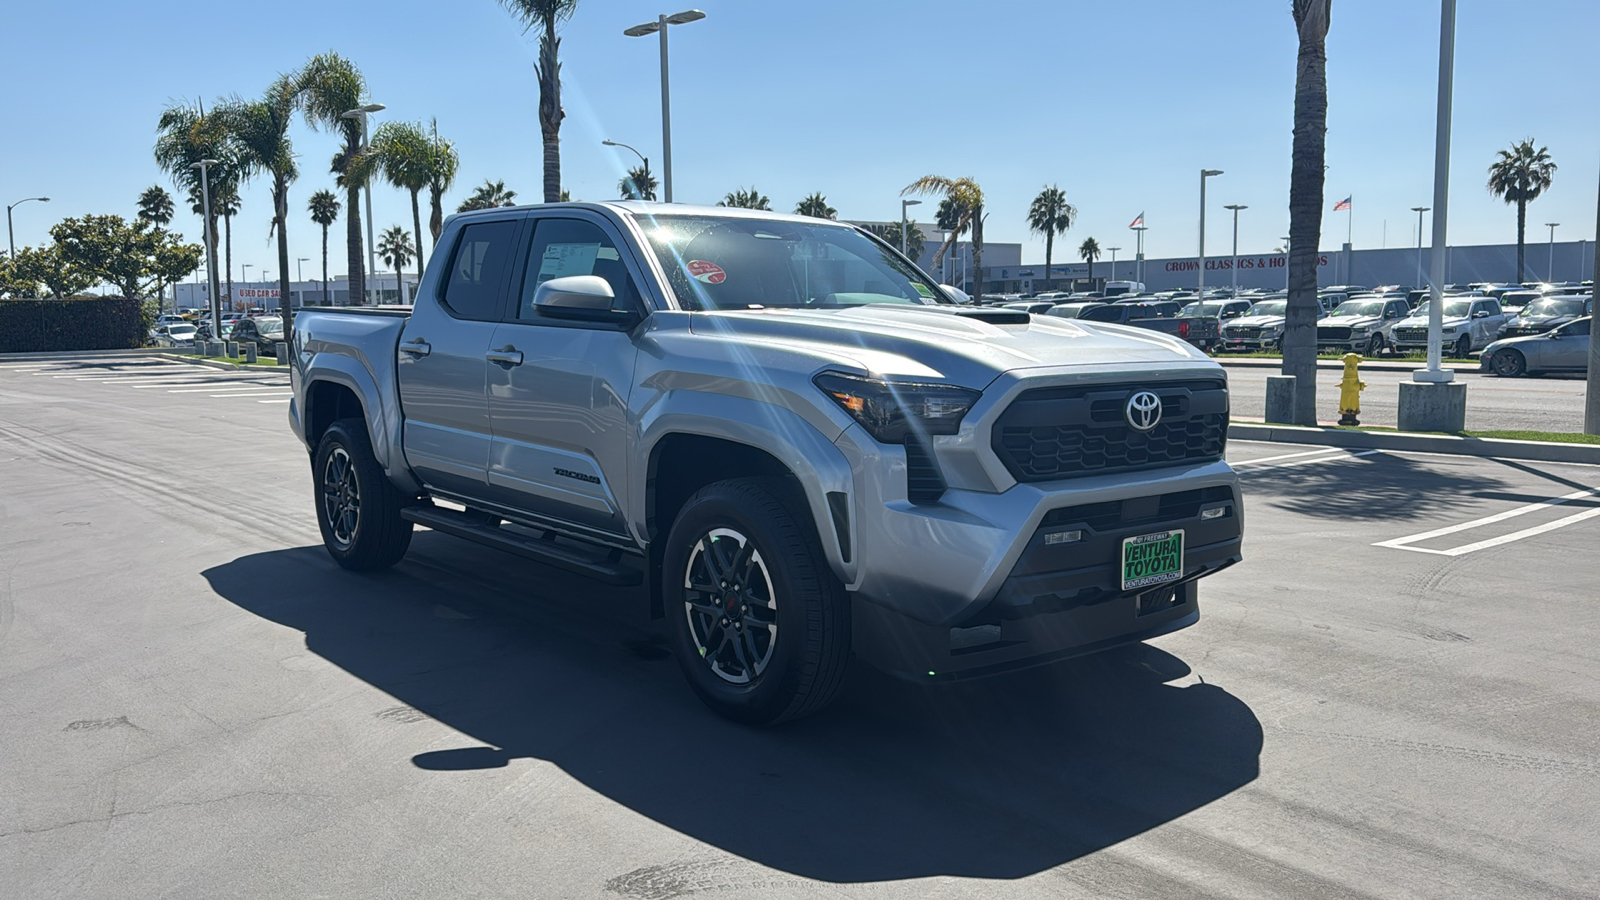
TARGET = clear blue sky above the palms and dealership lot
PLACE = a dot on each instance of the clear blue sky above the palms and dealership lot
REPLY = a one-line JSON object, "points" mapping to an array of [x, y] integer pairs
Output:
{"points": [[1118, 103]]}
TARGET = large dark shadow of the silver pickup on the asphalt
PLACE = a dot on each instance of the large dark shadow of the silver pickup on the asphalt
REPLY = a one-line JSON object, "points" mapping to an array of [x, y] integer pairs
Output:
{"points": [[993, 779]]}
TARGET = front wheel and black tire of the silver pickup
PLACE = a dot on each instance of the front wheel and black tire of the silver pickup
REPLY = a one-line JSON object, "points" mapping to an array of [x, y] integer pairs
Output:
{"points": [[783, 589]]}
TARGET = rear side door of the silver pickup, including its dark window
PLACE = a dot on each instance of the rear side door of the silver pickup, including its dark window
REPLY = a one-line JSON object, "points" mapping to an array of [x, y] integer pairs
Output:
{"points": [[442, 360]]}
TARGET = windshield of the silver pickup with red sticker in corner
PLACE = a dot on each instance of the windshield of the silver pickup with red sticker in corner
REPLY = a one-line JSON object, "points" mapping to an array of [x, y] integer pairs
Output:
{"points": [[738, 263]]}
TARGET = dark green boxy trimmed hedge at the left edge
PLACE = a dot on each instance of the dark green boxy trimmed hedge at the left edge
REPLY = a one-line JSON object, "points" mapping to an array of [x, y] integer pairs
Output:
{"points": [[90, 324]]}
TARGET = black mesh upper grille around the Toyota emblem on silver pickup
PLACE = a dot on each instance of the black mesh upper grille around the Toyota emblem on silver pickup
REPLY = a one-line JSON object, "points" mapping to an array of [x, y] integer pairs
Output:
{"points": [[1057, 433]]}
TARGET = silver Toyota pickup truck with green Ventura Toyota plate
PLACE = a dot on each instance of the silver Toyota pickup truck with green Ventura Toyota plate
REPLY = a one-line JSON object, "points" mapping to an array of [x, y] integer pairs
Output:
{"points": [[786, 433]]}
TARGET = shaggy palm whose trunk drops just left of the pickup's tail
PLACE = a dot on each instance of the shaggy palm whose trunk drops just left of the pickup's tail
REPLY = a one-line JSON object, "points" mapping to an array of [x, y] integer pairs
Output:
{"points": [[262, 132]]}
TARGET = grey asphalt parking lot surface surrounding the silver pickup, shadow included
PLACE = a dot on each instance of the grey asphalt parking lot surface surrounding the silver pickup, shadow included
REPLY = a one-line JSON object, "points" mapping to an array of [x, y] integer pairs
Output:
{"points": [[1396, 696]]}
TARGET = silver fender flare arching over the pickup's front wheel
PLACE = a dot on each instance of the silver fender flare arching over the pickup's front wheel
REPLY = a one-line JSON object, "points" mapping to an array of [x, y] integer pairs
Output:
{"points": [[820, 467]]}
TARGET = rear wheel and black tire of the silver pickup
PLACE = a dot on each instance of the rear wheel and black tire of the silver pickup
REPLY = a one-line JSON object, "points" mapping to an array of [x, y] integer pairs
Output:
{"points": [[369, 536]]}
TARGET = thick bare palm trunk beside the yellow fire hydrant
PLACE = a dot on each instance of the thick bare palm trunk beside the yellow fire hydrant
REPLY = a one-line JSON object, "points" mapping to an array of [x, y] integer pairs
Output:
{"points": [[1306, 203]]}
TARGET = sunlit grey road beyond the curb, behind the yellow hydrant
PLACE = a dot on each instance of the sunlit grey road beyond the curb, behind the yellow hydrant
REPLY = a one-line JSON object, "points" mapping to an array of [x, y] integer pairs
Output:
{"points": [[1551, 403]]}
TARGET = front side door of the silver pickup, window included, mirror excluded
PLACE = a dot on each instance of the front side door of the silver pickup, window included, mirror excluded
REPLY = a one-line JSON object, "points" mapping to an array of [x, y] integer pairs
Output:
{"points": [[559, 395]]}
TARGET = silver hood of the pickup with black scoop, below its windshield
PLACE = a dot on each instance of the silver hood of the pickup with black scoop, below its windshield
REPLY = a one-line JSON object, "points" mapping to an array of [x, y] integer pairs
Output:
{"points": [[940, 345]]}
